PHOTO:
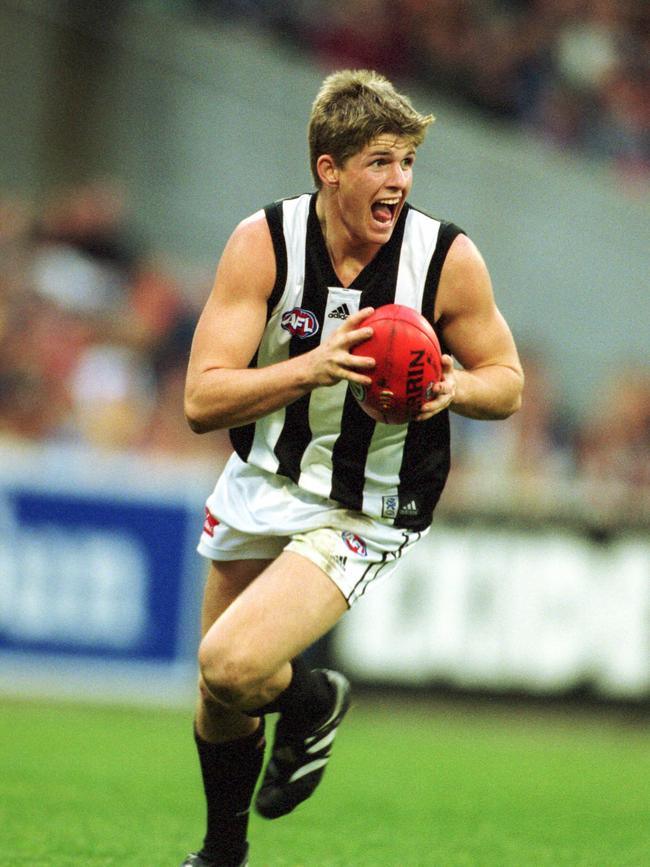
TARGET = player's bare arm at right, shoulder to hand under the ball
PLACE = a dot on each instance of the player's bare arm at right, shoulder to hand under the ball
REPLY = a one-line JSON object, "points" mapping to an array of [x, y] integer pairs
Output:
{"points": [[490, 384]]}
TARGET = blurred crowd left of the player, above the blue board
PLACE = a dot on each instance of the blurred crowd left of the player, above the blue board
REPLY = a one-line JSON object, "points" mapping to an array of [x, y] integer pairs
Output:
{"points": [[94, 330]]}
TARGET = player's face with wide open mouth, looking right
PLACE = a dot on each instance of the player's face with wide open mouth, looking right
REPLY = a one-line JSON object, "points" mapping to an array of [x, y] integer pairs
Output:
{"points": [[371, 188]]}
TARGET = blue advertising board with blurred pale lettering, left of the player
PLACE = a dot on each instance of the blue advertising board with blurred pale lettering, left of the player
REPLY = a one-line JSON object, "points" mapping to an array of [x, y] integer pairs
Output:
{"points": [[93, 577]]}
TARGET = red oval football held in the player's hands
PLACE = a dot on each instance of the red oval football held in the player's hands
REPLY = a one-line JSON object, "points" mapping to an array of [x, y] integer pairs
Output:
{"points": [[409, 363]]}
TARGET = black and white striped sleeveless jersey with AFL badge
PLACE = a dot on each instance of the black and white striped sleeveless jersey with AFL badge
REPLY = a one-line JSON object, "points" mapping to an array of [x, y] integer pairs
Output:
{"points": [[324, 441]]}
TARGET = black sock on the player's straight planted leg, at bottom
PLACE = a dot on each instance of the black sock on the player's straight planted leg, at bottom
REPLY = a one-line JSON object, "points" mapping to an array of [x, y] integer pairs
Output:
{"points": [[230, 771]]}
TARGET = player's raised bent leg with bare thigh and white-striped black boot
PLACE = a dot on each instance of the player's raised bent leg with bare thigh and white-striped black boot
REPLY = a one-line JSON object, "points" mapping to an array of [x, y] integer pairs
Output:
{"points": [[250, 660]]}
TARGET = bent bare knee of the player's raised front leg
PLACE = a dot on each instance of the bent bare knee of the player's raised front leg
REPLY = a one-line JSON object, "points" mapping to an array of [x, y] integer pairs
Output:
{"points": [[230, 677]]}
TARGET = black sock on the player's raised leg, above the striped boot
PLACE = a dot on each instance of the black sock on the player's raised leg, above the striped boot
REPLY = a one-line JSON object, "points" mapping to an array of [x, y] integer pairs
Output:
{"points": [[304, 702]]}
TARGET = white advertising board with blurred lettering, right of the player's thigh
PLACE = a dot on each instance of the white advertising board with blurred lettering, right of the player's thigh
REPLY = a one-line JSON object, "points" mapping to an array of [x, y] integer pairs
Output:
{"points": [[505, 609]]}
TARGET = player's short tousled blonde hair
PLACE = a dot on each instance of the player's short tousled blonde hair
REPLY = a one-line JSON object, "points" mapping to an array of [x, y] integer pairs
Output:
{"points": [[352, 108]]}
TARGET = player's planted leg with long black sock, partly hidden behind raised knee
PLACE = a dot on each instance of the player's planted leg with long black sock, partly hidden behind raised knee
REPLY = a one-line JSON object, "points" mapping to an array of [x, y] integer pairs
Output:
{"points": [[230, 744]]}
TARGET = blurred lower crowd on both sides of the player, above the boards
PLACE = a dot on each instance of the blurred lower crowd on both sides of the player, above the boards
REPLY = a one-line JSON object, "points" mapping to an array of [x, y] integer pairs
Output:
{"points": [[95, 333]]}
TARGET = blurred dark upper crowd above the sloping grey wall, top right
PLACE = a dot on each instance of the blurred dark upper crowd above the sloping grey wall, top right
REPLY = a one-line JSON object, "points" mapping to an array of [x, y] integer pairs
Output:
{"points": [[576, 73]]}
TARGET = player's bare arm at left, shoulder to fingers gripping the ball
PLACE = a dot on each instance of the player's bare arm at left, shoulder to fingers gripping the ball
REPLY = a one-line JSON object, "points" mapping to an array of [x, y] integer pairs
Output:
{"points": [[221, 391]]}
